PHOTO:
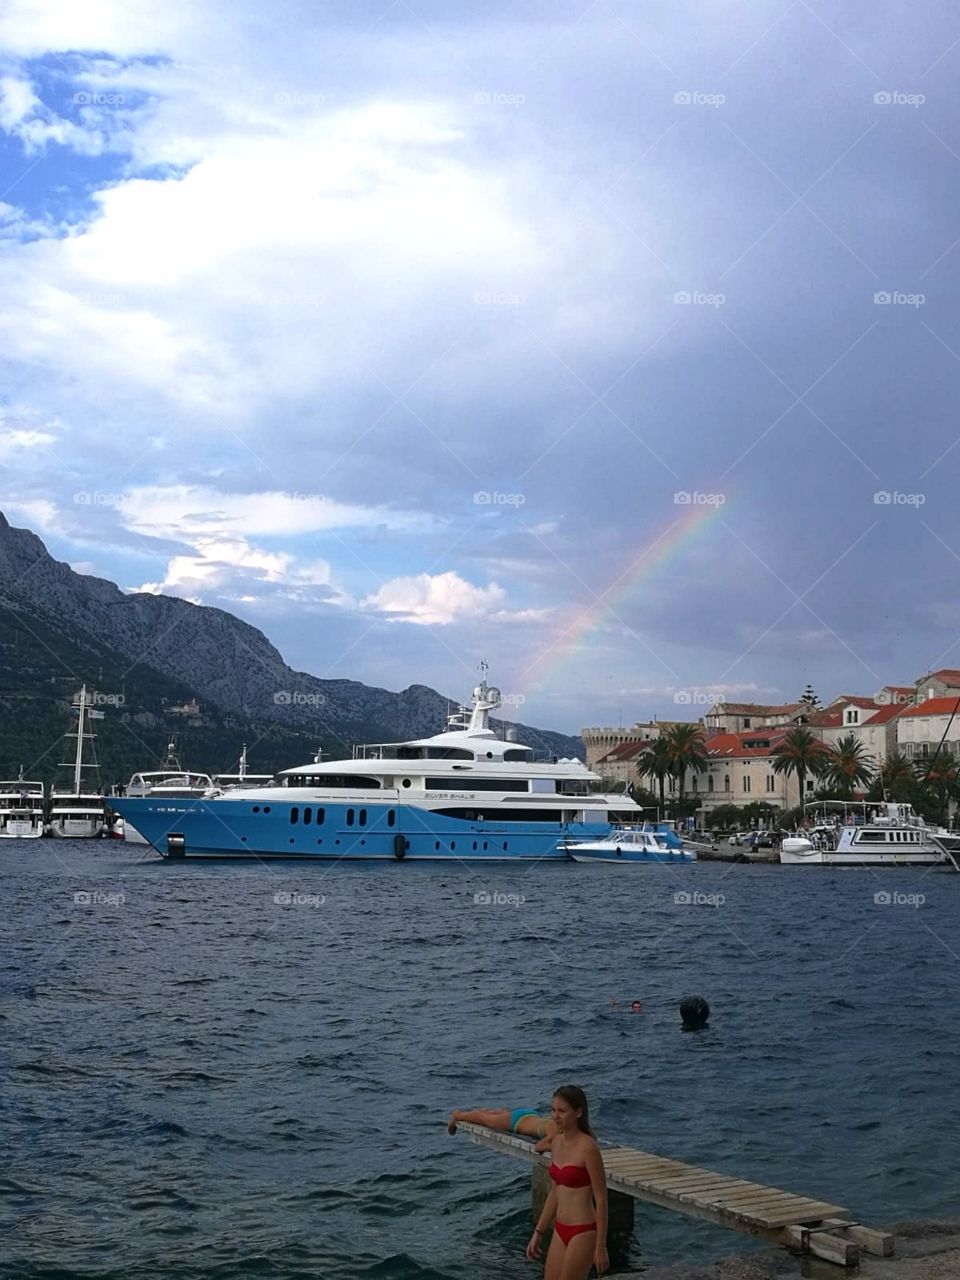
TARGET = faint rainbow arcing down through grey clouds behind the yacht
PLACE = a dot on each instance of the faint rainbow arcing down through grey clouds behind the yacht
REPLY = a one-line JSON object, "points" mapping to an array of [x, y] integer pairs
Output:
{"points": [[666, 548]]}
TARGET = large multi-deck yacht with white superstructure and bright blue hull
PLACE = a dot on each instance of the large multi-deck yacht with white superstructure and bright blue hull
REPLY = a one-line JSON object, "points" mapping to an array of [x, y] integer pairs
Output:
{"points": [[463, 796]]}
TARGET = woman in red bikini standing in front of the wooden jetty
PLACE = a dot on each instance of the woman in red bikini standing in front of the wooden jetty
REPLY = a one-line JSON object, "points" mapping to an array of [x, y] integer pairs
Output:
{"points": [[578, 1201]]}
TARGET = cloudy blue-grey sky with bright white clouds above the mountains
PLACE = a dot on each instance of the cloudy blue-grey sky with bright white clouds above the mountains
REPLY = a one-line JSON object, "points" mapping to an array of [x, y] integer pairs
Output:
{"points": [[612, 344]]}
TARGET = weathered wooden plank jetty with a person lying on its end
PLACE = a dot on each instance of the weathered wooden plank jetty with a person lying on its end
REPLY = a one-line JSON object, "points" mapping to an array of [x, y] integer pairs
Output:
{"points": [[799, 1223]]}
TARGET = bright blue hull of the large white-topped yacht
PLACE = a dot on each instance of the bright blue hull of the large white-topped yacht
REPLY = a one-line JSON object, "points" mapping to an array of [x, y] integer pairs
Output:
{"points": [[368, 830]]}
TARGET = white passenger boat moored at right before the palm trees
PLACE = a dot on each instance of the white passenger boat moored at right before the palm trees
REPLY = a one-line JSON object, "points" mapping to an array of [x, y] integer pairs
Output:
{"points": [[866, 835]]}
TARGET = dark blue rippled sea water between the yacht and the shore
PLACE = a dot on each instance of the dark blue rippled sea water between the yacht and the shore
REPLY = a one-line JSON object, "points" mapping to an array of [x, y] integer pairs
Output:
{"points": [[200, 1082]]}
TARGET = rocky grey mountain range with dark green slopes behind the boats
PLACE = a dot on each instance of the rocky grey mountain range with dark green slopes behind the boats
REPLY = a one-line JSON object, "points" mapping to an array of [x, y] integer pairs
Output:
{"points": [[152, 660]]}
